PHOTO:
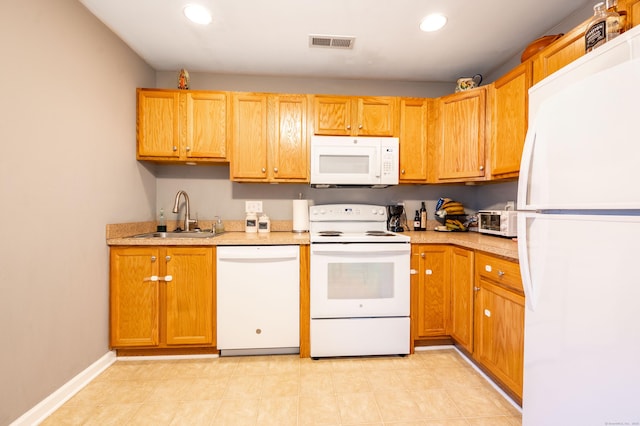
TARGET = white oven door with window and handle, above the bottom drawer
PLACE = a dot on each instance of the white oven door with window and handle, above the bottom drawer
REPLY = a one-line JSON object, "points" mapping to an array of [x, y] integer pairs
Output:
{"points": [[360, 280]]}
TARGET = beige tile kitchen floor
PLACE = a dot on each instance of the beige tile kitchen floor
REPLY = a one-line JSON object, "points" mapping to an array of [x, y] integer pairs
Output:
{"points": [[435, 387]]}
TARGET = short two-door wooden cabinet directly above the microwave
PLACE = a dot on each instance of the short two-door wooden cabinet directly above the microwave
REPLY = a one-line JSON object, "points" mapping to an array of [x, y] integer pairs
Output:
{"points": [[355, 116]]}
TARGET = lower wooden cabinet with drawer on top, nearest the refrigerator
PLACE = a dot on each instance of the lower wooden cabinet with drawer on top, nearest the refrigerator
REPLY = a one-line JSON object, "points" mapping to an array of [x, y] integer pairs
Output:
{"points": [[499, 321]]}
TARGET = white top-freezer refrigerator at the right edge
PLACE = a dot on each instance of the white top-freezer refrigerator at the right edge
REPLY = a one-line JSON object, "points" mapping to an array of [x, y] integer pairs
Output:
{"points": [[579, 241]]}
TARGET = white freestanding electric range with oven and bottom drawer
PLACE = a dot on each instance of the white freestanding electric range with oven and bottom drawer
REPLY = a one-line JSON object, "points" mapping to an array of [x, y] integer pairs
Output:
{"points": [[359, 283]]}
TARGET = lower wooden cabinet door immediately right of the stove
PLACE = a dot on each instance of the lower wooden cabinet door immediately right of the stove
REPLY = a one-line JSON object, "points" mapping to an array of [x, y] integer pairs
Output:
{"points": [[433, 291]]}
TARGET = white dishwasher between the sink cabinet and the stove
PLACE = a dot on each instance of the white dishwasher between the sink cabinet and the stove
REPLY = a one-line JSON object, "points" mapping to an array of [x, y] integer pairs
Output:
{"points": [[258, 300]]}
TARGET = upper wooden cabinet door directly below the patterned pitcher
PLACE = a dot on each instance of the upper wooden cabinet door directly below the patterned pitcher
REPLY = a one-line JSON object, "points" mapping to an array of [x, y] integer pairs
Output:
{"points": [[462, 135]]}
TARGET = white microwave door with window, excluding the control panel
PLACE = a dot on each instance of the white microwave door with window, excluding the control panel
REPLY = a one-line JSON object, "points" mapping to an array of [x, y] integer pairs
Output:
{"points": [[351, 166]]}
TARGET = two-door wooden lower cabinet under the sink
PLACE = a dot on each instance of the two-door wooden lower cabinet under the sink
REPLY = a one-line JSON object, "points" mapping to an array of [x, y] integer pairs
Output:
{"points": [[162, 297]]}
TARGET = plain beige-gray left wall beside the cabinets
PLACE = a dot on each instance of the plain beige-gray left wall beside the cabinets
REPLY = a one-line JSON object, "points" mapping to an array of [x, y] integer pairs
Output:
{"points": [[67, 131]]}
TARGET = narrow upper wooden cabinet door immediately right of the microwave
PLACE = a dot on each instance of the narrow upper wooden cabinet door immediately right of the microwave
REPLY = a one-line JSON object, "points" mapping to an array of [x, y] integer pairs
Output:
{"points": [[414, 116]]}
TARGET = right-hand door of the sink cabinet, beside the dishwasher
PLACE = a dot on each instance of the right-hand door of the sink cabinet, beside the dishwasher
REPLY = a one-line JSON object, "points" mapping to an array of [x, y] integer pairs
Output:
{"points": [[189, 296]]}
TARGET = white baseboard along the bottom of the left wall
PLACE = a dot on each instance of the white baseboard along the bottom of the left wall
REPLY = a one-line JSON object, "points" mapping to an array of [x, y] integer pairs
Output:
{"points": [[54, 401]]}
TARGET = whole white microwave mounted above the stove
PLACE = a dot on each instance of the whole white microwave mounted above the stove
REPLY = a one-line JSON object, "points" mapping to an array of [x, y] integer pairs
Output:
{"points": [[354, 161]]}
